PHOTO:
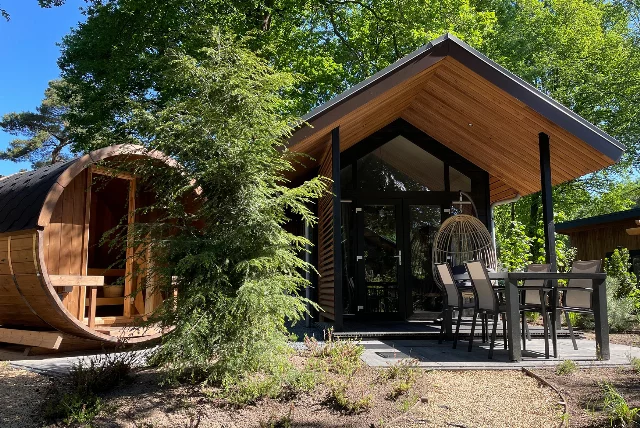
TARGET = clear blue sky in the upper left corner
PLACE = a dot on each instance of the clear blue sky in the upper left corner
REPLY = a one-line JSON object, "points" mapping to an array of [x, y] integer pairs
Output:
{"points": [[29, 53]]}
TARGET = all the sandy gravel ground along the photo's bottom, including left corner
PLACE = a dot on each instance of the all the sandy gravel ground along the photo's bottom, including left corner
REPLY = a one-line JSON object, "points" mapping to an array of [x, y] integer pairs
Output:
{"points": [[438, 399]]}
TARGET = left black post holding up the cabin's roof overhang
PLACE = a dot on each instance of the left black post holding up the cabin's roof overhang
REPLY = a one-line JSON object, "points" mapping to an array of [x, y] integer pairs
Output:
{"points": [[337, 229]]}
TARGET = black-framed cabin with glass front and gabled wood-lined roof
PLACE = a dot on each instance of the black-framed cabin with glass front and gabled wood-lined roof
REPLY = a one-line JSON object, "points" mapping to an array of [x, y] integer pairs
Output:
{"points": [[444, 130]]}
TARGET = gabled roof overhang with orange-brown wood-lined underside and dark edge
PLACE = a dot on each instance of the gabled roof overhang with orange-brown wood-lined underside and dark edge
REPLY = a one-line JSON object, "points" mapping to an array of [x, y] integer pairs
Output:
{"points": [[470, 104]]}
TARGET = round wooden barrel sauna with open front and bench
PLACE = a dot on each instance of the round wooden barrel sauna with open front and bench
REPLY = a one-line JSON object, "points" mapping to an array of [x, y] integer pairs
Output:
{"points": [[55, 275]]}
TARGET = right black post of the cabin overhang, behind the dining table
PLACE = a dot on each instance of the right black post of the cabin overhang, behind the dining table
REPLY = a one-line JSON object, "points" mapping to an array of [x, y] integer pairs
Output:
{"points": [[549, 228]]}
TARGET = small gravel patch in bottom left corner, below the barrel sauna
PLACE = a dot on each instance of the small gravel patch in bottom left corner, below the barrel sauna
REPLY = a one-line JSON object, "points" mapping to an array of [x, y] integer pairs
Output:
{"points": [[21, 396]]}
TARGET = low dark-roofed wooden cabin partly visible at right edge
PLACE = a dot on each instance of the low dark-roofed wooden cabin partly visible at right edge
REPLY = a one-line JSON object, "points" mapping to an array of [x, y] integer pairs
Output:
{"points": [[597, 237]]}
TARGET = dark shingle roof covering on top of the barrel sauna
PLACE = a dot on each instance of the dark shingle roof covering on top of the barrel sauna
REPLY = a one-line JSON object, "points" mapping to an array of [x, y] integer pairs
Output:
{"points": [[22, 196]]}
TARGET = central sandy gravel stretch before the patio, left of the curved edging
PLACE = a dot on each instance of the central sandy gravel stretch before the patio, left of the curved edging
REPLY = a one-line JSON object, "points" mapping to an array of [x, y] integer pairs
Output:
{"points": [[469, 399]]}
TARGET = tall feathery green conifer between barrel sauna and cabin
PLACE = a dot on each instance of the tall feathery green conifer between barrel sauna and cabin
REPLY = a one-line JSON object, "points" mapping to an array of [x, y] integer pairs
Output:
{"points": [[218, 237]]}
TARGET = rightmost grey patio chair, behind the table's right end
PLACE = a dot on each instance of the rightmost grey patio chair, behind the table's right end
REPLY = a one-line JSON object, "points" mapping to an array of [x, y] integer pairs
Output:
{"points": [[579, 301]]}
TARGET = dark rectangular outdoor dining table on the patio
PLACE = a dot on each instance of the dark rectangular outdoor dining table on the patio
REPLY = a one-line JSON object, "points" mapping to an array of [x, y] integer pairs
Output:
{"points": [[512, 301]]}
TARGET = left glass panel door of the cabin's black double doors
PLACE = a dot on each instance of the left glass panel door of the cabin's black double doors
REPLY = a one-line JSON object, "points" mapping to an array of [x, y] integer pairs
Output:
{"points": [[380, 258]]}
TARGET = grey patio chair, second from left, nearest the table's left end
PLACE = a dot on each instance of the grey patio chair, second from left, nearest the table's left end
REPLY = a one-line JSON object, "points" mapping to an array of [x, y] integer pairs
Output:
{"points": [[487, 302]]}
